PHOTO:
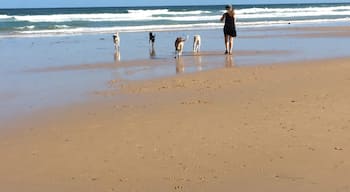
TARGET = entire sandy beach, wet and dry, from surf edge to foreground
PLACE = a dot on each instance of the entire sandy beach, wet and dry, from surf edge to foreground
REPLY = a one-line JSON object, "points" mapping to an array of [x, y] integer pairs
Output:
{"points": [[274, 116]]}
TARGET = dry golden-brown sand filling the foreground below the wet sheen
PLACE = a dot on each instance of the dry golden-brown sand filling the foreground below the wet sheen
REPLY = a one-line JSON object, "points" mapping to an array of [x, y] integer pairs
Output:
{"points": [[261, 128]]}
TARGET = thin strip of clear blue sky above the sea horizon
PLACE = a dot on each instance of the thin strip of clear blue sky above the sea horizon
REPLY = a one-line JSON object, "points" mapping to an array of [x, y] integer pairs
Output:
{"points": [[117, 3]]}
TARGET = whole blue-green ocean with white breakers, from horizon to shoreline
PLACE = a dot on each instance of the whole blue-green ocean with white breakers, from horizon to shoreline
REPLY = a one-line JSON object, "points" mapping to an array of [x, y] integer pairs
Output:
{"points": [[67, 21]]}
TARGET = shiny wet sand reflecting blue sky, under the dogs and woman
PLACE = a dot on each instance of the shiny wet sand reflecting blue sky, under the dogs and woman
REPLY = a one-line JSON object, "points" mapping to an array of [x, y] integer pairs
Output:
{"points": [[62, 70]]}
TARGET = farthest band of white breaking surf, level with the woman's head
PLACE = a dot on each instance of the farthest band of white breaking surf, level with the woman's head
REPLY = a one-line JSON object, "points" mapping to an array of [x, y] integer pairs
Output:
{"points": [[198, 15]]}
